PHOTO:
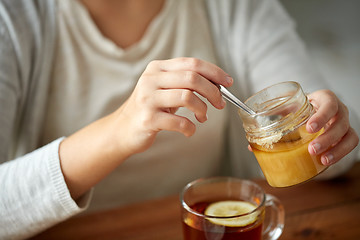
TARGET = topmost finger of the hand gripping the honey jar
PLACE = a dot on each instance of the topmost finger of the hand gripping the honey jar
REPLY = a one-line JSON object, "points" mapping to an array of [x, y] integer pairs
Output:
{"points": [[326, 105]]}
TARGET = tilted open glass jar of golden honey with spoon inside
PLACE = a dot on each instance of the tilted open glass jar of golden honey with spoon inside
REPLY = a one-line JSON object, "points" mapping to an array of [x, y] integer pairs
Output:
{"points": [[277, 134]]}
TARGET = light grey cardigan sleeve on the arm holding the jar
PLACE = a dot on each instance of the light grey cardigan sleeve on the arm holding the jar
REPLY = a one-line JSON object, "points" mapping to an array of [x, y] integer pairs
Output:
{"points": [[275, 53]]}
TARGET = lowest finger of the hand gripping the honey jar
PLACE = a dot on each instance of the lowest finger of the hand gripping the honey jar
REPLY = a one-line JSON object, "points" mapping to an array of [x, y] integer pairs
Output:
{"points": [[346, 145]]}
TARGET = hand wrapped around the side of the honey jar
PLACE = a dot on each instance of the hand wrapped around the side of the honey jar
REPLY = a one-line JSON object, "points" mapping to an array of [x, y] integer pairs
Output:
{"points": [[339, 138]]}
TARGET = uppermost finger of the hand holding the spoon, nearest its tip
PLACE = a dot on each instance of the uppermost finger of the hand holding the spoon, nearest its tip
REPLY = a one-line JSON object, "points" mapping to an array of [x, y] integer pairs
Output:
{"points": [[206, 69]]}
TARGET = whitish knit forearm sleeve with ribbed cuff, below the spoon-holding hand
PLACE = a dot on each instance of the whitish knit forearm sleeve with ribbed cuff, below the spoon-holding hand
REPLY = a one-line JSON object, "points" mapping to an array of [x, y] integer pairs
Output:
{"points": [[34, 195]]}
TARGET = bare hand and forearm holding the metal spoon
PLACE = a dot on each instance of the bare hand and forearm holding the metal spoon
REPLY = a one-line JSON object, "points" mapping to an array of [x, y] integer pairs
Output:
{"points": [[90, 154]]}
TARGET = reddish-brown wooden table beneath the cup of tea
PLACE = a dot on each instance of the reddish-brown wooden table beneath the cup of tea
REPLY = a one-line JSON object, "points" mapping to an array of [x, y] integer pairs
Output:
{"points": [[314, 210]]}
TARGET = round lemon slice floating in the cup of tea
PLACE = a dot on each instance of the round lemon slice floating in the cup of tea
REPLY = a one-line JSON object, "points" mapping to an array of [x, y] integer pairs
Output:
{"points": [[229, 209]]}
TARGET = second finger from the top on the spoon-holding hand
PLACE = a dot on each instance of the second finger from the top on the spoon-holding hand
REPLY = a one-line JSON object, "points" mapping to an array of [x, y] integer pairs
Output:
{"points": [[192, 81]]}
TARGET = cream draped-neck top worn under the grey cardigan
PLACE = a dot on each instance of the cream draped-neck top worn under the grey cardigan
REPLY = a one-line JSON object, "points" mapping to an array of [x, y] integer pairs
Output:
{"points": [[92, 77]]}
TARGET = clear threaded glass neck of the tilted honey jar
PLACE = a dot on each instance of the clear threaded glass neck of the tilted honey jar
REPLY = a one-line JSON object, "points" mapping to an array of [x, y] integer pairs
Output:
{"points": [[284, 106]]}
